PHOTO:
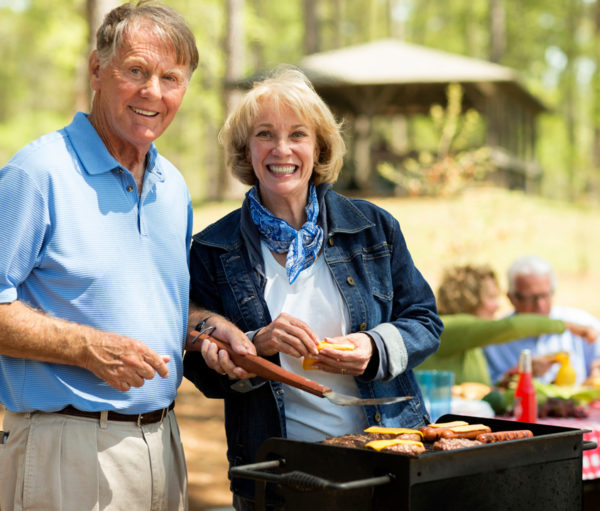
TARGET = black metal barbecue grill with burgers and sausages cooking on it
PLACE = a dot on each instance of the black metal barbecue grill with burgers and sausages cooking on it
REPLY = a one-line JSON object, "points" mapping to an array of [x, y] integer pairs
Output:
{"points": [[539, 473]]}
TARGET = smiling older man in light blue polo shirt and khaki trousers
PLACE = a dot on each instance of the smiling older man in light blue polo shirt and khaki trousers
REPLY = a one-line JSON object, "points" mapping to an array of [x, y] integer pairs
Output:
{"points": [[94, 237]]}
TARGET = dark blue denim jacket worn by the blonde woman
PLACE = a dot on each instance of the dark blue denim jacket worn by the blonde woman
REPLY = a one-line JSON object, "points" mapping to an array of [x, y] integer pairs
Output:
{"points": [[385, 294]]}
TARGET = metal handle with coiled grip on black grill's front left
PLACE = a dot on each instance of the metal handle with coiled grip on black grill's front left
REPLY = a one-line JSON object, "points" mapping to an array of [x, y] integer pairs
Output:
{"points": [[301, 481]]}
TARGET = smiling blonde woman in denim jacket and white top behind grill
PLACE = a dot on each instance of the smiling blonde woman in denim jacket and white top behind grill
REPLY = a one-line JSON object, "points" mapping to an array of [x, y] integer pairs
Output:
{"points": [[298, 264]]}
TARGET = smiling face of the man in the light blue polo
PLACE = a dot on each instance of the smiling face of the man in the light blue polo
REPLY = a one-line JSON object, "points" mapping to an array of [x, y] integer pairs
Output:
{"points": [[139, 92]]}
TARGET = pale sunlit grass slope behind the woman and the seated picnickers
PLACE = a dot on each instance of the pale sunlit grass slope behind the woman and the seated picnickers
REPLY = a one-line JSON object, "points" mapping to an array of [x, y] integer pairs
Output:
{"points": [[493, 226]]}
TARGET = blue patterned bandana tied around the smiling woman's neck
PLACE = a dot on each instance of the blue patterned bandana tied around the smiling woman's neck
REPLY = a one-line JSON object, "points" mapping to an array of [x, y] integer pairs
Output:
{"points": [[302, 246]]}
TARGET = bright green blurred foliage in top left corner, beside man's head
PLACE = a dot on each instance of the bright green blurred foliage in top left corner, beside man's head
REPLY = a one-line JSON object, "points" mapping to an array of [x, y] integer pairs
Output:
{"points": [[38, 76]]}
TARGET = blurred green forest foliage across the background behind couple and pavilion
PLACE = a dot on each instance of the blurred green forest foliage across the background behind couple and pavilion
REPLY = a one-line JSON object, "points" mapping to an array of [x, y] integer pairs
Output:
{"points": [[553, 45]]}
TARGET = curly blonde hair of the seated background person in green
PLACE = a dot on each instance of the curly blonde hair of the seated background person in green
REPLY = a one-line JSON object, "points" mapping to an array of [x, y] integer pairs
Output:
{"points": [[461, 288]]}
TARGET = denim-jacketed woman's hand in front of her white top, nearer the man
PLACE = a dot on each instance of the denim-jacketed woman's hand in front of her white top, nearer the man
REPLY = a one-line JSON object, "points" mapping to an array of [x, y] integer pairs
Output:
{"points": [[286, 334]]}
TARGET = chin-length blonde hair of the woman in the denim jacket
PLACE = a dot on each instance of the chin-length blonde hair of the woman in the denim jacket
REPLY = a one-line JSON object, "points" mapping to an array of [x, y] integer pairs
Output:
{"points": [[289, 88]]}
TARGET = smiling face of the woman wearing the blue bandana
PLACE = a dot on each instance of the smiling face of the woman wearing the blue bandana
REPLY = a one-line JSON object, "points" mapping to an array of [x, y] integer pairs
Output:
{"points": [[283, 149]]}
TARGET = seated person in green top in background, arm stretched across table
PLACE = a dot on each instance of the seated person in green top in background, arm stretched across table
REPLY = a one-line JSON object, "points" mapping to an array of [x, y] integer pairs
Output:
{"points": [[467, 300]]}
